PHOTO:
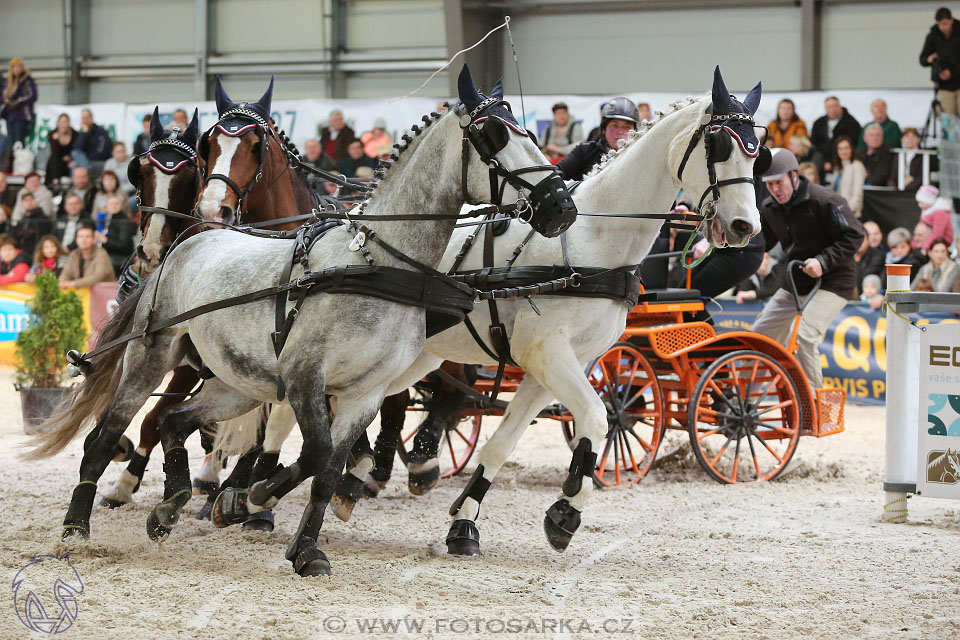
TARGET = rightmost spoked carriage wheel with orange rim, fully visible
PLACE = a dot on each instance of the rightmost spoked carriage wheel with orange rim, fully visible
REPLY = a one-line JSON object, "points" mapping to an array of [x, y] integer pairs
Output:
{"points": [[744, 418]]}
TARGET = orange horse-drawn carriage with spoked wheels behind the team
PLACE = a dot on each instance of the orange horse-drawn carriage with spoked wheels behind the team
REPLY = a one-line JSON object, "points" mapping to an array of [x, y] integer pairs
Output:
{"points": [[742, 398]]}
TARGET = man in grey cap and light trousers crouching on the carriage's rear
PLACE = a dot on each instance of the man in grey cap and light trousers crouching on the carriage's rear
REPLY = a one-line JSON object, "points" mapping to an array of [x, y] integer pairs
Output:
{"points": [[815, 226]]}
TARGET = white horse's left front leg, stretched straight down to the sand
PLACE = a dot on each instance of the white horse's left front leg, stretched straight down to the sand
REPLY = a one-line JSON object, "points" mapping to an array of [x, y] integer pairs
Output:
{"points": [[464, 538]]}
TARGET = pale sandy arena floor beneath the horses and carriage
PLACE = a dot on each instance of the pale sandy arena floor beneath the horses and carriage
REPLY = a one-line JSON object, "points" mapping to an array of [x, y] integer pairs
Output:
{"points": [[677, 556]]}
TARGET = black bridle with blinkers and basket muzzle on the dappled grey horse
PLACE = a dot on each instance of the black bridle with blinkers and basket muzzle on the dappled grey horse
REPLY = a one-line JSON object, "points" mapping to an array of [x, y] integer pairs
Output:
{"points": [[550, 208]]}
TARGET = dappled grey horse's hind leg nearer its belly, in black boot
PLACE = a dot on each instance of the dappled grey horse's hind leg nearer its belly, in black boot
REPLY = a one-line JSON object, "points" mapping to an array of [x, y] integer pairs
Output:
{"points": [[214, 403]]}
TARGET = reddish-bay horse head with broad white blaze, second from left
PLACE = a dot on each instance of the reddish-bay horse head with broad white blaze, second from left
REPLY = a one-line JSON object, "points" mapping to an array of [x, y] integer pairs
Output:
{"points": [[239, 152]]}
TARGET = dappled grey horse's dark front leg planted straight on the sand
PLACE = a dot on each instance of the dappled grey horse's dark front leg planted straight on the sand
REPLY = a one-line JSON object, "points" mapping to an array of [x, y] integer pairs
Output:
{"points": [[326, 458]]}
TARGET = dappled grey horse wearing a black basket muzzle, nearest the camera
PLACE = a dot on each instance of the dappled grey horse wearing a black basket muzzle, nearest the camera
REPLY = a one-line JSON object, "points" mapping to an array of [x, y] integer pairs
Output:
{"points": [[348, 344]]}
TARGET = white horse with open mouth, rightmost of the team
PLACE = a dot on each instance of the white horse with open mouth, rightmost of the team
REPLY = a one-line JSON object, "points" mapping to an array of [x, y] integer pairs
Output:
{"points": [[555, 340]]}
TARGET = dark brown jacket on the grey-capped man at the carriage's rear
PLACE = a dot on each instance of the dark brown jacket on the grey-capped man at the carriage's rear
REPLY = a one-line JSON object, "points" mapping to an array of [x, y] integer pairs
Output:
{"points": [[816, 223]]}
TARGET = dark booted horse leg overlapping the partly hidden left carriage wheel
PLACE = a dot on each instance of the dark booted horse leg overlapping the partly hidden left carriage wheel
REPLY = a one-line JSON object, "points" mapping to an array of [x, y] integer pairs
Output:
{"points": [[443, 409]]}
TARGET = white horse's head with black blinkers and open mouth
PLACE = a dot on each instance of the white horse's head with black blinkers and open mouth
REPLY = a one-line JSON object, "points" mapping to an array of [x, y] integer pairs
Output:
{"points": [[725, 136]]}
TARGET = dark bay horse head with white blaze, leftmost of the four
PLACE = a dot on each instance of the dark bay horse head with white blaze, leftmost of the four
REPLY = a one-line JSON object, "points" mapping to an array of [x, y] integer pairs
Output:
{"points": [[167, 176]]}
